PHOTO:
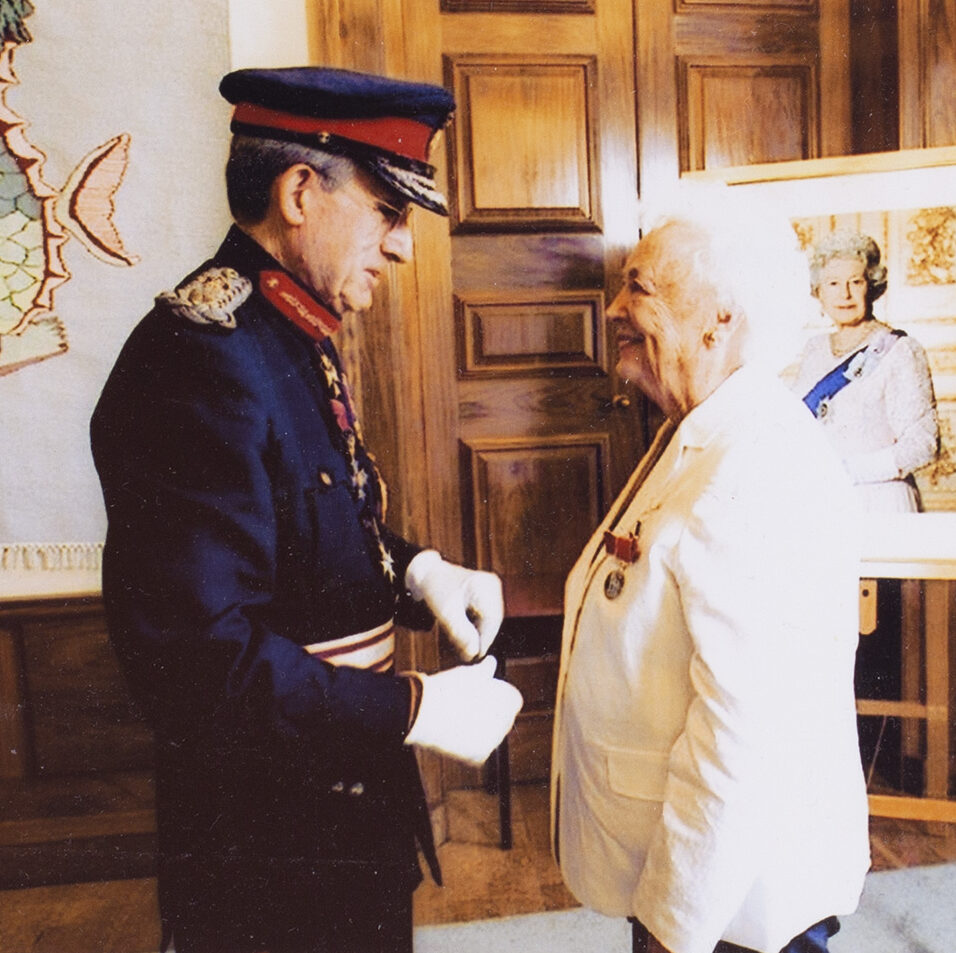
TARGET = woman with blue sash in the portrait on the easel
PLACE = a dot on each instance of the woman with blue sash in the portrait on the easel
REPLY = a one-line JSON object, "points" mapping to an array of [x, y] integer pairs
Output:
{"points": [[868, 384]]}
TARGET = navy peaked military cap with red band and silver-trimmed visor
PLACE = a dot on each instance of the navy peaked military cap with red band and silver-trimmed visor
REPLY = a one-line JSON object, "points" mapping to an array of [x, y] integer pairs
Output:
{"points": [[386, 125]]}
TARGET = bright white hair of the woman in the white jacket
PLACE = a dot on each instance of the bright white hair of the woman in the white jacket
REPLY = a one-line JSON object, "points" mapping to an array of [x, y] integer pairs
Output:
{"points": [[750, 256]]}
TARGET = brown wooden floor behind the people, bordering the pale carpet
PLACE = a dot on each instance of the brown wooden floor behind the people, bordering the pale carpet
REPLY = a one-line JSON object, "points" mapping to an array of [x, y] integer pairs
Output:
{"points": [[481, 881]]}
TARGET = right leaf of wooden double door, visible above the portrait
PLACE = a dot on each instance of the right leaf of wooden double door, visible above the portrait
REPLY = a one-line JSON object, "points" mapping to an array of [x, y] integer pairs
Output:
{"points": [[739, 82]]}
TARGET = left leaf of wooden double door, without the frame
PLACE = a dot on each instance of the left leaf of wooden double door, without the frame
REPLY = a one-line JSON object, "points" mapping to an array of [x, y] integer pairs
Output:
{"points": [[543, 180]]}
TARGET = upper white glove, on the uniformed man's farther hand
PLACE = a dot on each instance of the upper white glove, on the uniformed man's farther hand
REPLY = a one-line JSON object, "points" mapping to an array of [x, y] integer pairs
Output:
{"points": [[466, 602]]}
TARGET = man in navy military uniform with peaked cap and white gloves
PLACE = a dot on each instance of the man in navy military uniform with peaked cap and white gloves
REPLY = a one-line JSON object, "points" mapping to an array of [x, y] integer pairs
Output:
{"points": [[250, 581]]}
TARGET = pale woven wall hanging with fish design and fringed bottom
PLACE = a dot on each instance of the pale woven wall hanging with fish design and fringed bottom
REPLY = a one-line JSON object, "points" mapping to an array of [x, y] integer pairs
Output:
{"points": [[113, 140]]}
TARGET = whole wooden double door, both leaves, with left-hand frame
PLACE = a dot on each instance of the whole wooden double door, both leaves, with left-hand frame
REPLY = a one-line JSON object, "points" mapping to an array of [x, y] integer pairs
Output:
{"points": [[498, 417]]}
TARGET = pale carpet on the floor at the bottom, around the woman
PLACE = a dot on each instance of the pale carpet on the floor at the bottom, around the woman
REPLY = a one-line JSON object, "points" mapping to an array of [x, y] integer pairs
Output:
{"points": [[902, 911]]}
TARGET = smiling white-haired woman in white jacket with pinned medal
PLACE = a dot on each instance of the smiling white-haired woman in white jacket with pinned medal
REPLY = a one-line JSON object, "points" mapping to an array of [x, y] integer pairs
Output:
{"points": [[706, 781]]}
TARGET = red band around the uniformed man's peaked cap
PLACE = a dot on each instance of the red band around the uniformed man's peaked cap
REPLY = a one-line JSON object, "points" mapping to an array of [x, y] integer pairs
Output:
{"points": [[406, 137]]}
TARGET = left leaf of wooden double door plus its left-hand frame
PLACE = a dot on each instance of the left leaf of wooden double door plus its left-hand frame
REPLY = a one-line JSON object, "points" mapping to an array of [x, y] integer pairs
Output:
{"points": [[500, 421]]}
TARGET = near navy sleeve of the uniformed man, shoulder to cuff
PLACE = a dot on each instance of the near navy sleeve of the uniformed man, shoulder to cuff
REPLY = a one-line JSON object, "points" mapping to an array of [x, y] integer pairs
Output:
{"points": [[181, 439]]}
